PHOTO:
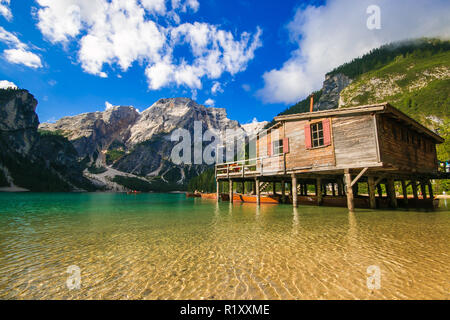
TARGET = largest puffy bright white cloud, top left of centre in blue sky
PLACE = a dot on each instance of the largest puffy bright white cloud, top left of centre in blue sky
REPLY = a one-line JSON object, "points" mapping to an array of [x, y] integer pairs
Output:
{"points": [[120, 33]]}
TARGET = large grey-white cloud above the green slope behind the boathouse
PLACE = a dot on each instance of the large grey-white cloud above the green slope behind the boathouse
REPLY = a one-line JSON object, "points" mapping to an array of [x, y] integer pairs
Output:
{"points": [[337, 32]]}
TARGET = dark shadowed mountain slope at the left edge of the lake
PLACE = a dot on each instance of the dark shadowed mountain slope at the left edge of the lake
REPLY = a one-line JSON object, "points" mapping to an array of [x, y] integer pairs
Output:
{"points": [[29, 159]]}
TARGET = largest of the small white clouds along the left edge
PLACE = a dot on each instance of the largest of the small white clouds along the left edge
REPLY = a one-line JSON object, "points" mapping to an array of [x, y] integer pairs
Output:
{"points": [[18, 52]]}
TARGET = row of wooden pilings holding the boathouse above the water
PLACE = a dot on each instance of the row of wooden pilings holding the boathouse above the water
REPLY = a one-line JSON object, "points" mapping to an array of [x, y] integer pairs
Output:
{"points": [[295, 188]]}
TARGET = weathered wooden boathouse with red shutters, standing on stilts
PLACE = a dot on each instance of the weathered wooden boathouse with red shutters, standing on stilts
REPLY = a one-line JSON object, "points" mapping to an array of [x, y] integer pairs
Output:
{"points": [[328, 157]]}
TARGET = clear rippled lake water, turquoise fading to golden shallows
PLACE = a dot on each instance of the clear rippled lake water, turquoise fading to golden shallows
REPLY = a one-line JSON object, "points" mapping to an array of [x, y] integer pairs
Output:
{"points": [[161, 246]]}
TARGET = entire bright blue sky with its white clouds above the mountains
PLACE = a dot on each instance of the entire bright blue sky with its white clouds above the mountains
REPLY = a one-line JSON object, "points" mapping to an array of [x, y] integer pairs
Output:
{"points": [[254, 58]]}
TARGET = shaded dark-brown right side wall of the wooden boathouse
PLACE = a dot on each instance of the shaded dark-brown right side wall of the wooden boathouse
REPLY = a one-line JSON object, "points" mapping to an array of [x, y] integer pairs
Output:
{"points": [[405, 148]]}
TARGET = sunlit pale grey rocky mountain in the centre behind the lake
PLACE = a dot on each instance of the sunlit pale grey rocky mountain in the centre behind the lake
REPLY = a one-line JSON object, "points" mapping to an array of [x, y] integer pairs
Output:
{"points": [[122, 147]]}
